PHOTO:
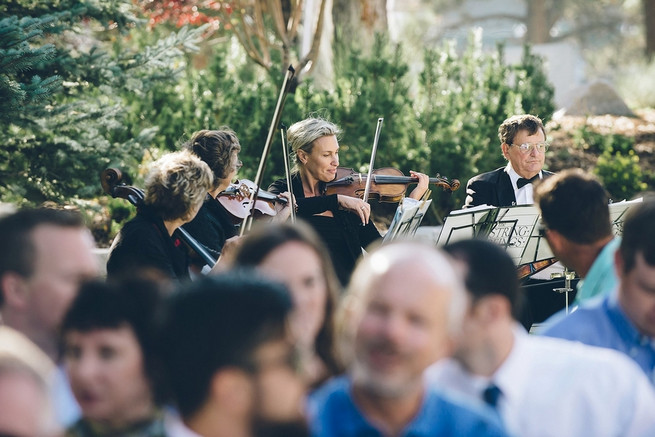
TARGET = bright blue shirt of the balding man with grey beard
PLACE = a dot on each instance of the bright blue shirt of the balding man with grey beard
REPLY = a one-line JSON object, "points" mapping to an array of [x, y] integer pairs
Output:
{"points": [[332, 412]]}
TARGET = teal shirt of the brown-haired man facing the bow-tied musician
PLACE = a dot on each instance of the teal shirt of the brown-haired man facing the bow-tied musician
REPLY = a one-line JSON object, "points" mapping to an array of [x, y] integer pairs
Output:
{"points": [[601, 278]]}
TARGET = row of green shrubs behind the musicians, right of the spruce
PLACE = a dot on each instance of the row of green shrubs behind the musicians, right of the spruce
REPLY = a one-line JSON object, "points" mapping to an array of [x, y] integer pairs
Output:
{"points": [[445, 123]]}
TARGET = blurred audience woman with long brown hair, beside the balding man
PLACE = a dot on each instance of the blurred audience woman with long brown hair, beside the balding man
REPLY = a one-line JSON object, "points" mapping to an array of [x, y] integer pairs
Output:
{"points": [[294, 255]]}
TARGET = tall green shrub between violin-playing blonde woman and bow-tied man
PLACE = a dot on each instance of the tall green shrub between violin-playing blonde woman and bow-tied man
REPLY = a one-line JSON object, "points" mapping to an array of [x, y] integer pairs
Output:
{"points": [[463, 100]]}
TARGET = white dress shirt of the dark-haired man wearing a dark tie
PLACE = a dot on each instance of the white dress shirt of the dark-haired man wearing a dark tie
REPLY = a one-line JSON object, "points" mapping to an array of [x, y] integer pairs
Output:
{"points": [[553, 387]]}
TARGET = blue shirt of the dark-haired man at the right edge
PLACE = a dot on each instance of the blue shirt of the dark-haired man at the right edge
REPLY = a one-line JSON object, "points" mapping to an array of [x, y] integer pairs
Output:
{"points": [[603, 323]]}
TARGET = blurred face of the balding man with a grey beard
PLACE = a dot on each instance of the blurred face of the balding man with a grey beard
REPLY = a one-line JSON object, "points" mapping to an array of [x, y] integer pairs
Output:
{"points": [[403, 328]]}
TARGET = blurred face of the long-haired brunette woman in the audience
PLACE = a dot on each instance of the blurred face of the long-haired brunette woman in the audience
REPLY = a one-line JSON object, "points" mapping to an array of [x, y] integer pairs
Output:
{"points": [[299, 267]]}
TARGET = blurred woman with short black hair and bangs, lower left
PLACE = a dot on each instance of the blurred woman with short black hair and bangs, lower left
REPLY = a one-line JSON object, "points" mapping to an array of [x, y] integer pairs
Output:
{"points": [[109, 350]]}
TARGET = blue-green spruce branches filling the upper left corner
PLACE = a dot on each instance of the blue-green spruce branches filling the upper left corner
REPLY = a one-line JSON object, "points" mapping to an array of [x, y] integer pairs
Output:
{"points": [[67, 72]]}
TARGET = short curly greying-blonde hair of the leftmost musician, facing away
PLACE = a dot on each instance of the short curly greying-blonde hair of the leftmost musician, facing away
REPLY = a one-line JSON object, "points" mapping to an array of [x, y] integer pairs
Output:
{"points": [[176, 184]]}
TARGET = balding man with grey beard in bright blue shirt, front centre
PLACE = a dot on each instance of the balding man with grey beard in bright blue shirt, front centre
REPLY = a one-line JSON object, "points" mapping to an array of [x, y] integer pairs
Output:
{"points": [[404, 305]]}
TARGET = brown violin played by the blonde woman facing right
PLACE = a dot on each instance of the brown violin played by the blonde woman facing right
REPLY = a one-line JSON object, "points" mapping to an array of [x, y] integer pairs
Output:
{"points": [[387, 184]]}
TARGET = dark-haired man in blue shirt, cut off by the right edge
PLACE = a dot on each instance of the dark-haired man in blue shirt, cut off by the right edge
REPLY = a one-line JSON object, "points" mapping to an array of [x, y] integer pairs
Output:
{"points": [[624, 320]]}
